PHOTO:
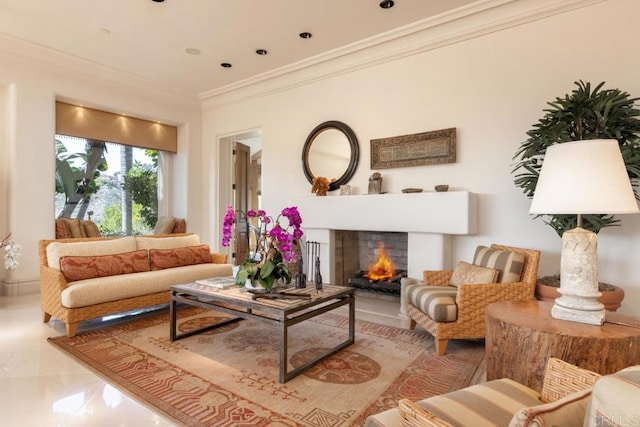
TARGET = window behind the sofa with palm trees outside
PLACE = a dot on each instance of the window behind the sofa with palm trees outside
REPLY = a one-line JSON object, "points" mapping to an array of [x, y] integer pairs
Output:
{"points": [[114, 185]]}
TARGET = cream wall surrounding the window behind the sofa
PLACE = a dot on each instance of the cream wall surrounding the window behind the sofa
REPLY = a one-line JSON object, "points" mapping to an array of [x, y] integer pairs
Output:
{"points": [[29, 89]]}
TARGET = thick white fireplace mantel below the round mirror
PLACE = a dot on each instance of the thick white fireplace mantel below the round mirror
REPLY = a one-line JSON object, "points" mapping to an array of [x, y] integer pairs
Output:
{"points": [[440, 213]]}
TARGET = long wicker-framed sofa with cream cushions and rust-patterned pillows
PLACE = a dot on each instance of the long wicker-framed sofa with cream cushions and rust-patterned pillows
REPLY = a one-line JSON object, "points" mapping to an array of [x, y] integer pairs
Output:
{"points": [[82, 279]]}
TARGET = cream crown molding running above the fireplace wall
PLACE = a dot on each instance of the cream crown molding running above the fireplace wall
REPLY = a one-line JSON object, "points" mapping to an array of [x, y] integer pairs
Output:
{"points": [[465, 23]]}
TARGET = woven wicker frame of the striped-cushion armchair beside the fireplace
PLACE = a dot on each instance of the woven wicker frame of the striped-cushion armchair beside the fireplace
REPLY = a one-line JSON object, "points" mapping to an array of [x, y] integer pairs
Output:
{"points": [[472, 299]]}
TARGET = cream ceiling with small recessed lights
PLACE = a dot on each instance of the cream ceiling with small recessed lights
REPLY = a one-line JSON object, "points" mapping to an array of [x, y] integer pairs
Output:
{"points": [[148, 39]]}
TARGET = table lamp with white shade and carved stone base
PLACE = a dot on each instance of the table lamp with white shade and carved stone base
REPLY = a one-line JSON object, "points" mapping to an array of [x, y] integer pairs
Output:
{"points": [[582, 177]]}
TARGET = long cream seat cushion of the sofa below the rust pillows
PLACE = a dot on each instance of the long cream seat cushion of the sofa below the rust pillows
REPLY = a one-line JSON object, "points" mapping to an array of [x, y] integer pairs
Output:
{"points": [[89, 292]]}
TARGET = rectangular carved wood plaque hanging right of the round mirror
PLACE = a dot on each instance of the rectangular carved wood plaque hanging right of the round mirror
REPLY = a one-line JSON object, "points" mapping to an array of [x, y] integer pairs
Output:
{"points": [[427, 148]]}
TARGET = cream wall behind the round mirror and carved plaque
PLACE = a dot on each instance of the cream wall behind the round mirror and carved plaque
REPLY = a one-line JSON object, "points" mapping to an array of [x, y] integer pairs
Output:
{"points": [[492, 89]]}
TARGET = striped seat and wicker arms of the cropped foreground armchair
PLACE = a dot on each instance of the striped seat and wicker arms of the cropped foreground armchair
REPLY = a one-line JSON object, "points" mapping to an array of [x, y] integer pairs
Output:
{"points": [[563, 401]]}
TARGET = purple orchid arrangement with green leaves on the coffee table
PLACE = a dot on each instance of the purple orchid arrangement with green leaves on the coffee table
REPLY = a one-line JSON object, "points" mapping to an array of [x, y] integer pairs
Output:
{"points": [[274, 245]]}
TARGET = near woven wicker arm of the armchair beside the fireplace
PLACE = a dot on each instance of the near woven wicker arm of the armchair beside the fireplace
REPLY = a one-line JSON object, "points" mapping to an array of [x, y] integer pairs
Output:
{"points": [[472, 300]]}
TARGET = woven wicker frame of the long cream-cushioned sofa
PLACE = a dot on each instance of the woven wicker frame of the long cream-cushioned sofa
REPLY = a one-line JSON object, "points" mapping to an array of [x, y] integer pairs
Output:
{"points": [[53, 283]]}
